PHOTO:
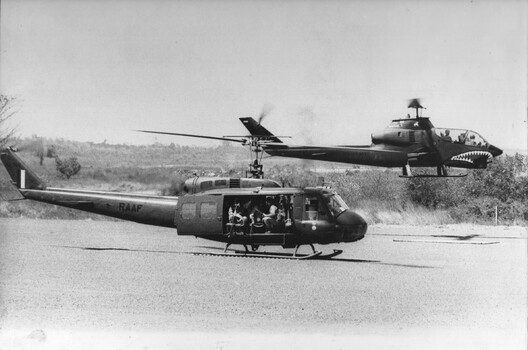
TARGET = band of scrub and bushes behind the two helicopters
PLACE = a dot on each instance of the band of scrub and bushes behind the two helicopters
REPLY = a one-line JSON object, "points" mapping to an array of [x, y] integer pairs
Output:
{"points": [[501, 189]]}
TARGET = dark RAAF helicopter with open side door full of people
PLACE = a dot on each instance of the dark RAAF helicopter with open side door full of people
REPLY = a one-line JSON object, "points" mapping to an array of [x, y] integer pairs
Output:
{"points": [[308, 216]]}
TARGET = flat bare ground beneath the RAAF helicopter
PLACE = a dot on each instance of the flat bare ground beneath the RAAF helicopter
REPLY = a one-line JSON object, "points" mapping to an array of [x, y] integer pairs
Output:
{"points": [[91, 284]]}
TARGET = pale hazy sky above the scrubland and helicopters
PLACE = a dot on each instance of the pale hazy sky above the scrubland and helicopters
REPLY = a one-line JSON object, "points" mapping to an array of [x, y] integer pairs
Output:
{"points": [[335, 71]]}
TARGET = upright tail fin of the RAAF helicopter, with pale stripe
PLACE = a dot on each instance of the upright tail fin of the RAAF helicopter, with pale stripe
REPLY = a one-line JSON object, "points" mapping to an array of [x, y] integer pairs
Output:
{"points": [[21, 175]]}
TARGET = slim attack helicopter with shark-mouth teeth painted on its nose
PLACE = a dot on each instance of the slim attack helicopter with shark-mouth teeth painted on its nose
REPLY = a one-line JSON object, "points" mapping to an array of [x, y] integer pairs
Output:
{"points": [[405, 143]]}
